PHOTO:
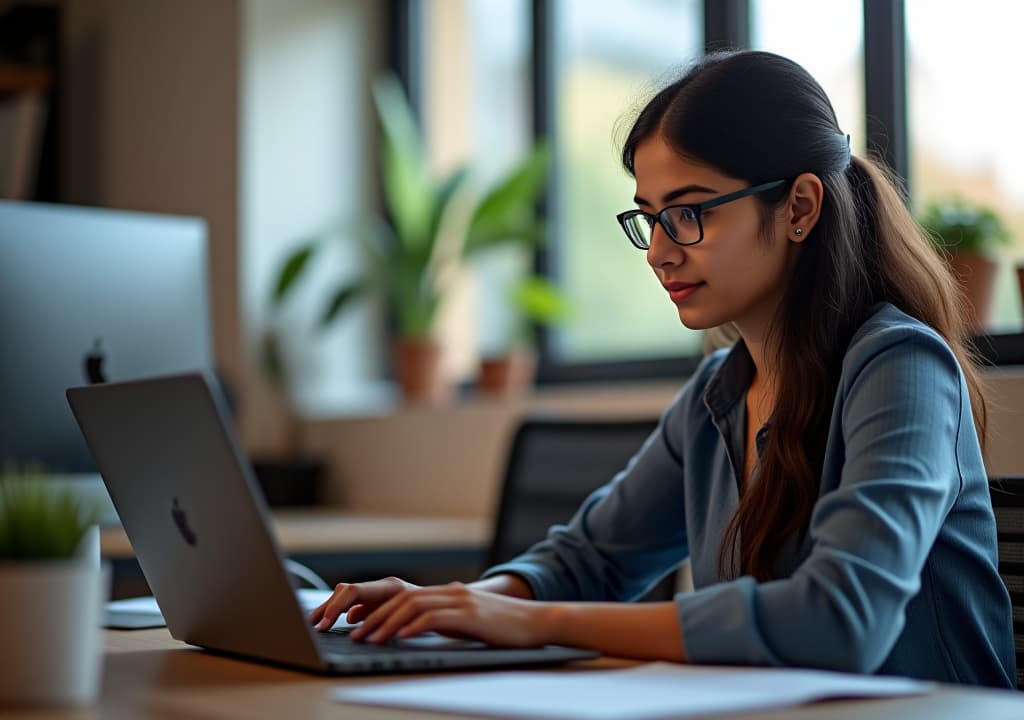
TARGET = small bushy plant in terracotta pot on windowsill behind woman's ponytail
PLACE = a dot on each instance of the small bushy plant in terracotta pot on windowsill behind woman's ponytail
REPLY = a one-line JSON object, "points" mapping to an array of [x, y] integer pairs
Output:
{"points": [[968, 237]]}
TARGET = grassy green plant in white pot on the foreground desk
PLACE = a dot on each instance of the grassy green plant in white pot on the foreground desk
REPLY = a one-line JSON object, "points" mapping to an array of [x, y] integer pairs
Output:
{"points": [[53, 594]]}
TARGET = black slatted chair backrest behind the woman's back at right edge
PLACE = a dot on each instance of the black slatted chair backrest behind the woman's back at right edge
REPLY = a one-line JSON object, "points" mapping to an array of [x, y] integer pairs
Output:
{"points": [[1008, 502]]}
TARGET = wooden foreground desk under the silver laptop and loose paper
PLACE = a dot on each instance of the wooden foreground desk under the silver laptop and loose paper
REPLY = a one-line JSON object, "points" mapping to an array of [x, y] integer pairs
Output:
{"points": [[149, 675]]}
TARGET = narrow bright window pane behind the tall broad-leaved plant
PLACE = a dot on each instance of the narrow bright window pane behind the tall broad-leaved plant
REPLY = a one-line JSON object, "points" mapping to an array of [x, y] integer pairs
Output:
{"points": [[478, 110]]}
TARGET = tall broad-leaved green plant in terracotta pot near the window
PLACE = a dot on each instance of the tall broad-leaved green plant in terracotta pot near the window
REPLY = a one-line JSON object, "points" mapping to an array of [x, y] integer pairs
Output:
{"points": [[434, 225]]}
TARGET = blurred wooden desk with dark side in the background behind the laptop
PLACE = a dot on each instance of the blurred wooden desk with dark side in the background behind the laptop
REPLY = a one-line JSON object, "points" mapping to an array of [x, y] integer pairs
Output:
{"points": [[345, 546]]}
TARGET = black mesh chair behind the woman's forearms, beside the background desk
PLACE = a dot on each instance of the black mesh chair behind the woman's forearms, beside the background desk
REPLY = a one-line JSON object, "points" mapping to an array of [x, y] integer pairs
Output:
{"points": [[553, 465]]}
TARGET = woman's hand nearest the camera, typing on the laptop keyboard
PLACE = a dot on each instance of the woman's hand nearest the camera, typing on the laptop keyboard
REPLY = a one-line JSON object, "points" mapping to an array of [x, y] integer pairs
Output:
{"points": [[457, 611]]}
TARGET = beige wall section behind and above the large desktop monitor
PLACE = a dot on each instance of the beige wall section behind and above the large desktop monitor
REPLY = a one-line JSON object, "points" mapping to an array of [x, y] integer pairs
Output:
{"points": [[152, 124]]}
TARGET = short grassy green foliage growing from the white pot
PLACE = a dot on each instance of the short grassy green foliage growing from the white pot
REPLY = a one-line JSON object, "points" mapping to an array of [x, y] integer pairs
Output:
{"points": [[37, 522]]}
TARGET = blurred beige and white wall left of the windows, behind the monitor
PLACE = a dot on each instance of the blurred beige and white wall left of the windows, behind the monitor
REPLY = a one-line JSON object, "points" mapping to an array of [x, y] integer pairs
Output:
{"points": [[254, 115]]}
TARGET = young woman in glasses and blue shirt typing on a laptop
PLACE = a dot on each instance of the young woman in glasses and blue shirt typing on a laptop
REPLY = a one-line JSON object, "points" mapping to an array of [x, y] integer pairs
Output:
{"points": [[825, 476]]}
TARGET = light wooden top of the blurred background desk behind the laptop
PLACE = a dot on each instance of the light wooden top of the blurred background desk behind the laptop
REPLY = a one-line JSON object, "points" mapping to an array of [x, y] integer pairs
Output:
{"points": [[335, 531]]}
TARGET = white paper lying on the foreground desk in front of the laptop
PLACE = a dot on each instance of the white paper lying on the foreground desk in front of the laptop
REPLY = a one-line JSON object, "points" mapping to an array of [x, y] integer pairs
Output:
{"points": [[653, 691]]}
